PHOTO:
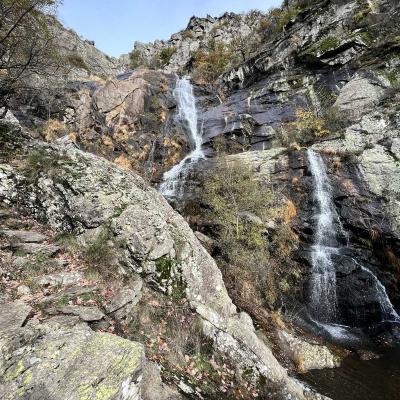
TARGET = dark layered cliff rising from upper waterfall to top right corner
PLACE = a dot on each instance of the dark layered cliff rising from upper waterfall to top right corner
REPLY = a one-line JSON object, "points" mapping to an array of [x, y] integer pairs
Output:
{"points": [[324, 58]]}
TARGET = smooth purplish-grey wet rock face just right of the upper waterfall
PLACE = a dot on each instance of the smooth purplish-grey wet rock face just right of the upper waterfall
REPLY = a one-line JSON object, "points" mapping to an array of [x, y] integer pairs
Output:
{"points": [[248, 118]]}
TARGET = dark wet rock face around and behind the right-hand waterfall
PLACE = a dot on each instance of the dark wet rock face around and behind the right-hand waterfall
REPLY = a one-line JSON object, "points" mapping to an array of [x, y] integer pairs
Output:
{"points": [[366, 238]]}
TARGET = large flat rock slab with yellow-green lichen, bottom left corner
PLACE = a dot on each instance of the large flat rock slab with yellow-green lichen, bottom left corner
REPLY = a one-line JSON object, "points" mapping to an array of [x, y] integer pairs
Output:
{"points": [[54, 361]]}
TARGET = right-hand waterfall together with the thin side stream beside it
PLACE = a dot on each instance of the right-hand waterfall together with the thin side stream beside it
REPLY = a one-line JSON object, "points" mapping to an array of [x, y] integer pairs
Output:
{"points": [[323, 301]]}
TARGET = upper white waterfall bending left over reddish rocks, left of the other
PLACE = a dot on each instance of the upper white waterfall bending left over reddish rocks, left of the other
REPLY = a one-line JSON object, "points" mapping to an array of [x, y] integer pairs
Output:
{"points": [[173, 179]]}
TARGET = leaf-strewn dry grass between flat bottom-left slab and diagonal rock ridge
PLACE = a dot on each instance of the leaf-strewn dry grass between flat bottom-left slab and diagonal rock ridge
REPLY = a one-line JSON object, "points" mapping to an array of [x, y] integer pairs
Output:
{"points": [[173, 335]]}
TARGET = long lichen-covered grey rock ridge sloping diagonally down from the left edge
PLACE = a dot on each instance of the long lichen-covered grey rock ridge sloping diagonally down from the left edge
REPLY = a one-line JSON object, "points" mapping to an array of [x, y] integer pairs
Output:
{"points": [[80, 193]]}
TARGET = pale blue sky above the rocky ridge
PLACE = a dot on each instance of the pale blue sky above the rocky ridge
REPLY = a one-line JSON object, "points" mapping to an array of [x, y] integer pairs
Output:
{"points": [[115, 25]]}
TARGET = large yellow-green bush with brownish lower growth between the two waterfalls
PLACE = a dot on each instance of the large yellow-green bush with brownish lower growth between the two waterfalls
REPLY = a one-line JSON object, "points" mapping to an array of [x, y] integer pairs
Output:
{"points": [[251, 259]]}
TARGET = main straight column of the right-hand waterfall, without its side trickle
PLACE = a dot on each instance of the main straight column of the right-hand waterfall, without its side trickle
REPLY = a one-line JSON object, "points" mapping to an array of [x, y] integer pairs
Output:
{"points": [[323, 302]]}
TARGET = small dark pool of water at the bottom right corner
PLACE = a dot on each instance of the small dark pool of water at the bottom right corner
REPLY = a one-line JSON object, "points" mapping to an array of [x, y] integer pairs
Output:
{"points": [[377, 379]]}
